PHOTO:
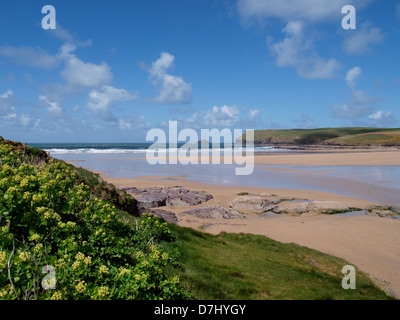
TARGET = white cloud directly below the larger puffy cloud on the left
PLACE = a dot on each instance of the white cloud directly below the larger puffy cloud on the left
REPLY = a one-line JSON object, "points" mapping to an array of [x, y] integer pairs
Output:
{"points": [[100, 100]]}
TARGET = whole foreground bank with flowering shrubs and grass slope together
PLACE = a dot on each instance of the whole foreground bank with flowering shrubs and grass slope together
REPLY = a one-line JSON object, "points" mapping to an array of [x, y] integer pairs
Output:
{"points": [[54, 214]]}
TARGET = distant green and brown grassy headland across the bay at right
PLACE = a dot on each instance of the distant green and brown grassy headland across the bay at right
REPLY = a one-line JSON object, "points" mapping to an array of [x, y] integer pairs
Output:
{"points": [[330, 136]]}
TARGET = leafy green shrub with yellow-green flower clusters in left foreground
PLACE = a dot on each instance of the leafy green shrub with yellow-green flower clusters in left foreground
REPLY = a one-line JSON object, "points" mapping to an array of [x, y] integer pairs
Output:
{"points": [[48, 221]]}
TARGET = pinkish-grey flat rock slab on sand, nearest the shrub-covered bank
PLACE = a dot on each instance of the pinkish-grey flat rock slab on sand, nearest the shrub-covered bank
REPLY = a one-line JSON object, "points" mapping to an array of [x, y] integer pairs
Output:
{"points": [[160, 196]]}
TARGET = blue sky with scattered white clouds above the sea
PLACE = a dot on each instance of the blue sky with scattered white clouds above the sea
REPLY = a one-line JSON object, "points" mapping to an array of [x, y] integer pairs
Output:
{"points": [[113, 70]]}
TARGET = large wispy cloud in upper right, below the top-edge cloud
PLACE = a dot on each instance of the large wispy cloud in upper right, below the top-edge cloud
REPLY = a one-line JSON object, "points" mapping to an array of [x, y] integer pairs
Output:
{"points": [[296, 50]]}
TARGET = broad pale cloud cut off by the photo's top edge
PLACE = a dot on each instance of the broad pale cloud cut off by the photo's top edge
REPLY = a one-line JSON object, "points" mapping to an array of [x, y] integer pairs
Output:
{"points": [[308, 10]]}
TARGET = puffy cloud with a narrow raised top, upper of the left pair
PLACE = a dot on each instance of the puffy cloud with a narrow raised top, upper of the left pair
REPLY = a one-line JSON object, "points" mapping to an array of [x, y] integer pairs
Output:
{"points": [[78, 73]]}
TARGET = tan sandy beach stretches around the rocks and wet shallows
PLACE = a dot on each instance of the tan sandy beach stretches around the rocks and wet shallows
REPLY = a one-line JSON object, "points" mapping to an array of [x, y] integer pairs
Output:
{"points": [[370, 243]]}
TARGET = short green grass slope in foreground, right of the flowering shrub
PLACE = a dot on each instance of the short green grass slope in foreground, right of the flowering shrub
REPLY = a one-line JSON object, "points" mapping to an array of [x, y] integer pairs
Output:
{"points": [[251, 267]]}
